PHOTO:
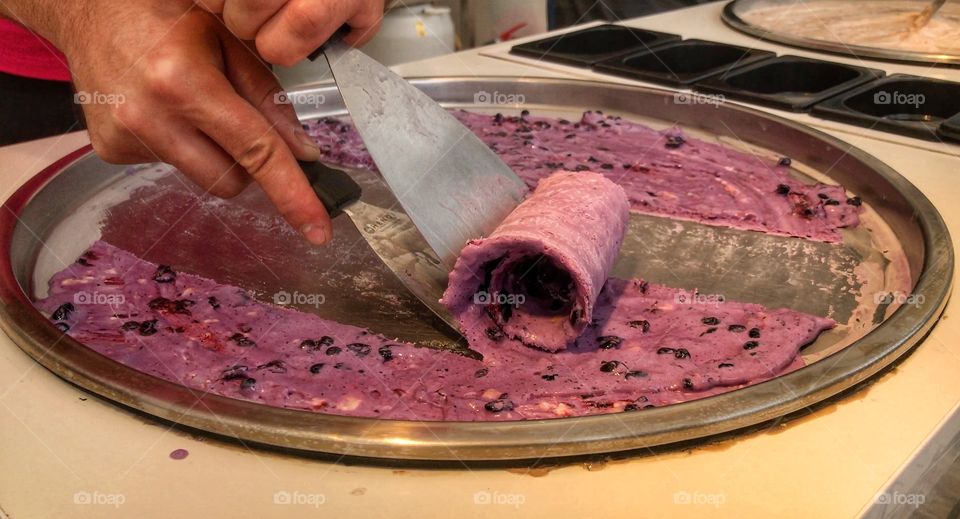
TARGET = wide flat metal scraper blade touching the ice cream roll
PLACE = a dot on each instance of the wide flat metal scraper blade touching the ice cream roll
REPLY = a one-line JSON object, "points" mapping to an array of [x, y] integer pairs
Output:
{"points": [[451, 185]]}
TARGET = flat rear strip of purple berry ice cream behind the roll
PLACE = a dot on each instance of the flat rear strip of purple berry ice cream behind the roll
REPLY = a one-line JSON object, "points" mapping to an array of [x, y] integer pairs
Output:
{"points": [[664, 173]]}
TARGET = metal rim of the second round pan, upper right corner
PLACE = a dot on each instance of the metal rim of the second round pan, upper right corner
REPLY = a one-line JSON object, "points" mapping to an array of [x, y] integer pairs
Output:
{"points": [[733, 16]]}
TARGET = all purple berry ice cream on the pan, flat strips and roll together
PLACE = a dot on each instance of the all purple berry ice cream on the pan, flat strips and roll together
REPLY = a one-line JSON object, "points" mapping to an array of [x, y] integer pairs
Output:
{"points": [[614, 345]]}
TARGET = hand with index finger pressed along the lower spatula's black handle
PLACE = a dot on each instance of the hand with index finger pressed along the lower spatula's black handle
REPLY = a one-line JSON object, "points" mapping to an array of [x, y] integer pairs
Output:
{"points": [[194, 96]]}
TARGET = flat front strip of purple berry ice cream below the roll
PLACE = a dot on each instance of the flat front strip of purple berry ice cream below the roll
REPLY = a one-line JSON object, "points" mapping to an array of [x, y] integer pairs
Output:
{"points": [[646, 345]]}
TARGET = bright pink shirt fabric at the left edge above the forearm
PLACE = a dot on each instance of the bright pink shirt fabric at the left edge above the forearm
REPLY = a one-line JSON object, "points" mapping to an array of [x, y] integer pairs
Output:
{"points": [[24, 53]]}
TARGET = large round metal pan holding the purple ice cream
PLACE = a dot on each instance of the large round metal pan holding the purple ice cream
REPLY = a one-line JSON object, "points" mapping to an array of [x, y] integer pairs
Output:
{"points": [[902, 247]]}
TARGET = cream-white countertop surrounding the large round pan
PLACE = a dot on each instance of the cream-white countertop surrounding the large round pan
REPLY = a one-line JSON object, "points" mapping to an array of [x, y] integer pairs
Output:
{"points": [[59, 445]]}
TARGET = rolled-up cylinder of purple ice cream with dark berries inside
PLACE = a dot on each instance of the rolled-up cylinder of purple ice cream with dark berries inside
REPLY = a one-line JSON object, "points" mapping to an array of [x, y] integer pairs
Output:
{"points": [[536, 277]]}
